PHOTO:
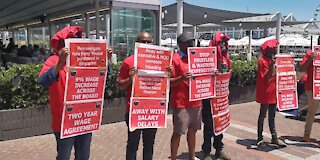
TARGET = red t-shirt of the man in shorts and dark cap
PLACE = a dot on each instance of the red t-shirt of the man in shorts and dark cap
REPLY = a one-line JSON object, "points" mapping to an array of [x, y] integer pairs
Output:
{"points": [[180, 93]]}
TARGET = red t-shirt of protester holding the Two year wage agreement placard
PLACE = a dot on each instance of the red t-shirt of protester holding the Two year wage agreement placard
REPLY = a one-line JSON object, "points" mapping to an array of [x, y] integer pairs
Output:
{"points": [[56, 92]]}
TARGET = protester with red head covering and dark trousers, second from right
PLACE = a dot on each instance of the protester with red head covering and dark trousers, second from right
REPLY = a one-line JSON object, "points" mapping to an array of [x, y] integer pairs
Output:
{"points": [[266, 90]]}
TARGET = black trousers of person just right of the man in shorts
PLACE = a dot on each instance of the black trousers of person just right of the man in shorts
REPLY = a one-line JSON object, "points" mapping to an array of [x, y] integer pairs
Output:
{"points": [[208, 130]]}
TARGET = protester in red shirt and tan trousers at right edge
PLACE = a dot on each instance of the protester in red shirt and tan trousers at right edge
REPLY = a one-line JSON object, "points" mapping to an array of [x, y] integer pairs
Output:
{"points": [[313, 105]]}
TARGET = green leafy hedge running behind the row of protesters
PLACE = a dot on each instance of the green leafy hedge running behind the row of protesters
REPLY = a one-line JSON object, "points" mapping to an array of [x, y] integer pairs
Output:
{"points": [[19, 87]]}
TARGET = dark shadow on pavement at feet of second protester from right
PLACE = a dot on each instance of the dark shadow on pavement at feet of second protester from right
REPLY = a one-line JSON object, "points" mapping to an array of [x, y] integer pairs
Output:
{"points": [[251, 144]]}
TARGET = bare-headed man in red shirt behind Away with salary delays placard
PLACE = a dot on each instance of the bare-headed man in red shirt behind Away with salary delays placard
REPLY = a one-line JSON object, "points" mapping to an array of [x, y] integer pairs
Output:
{"points": [[127, 71]]}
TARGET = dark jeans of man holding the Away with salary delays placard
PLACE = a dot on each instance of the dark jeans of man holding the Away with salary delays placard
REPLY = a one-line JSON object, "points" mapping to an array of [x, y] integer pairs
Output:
{"points": [[148, 136]]}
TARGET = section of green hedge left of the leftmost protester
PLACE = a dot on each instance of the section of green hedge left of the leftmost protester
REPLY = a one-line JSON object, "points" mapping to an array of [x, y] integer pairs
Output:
{"points": [[19, 87]]}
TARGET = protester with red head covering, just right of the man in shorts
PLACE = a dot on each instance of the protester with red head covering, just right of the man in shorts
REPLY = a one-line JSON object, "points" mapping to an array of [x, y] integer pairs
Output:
{"points": [[224, 65]]}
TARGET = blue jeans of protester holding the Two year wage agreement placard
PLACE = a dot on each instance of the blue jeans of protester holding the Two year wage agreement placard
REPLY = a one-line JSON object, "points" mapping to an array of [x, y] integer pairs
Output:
{"points": [[81, 145]]}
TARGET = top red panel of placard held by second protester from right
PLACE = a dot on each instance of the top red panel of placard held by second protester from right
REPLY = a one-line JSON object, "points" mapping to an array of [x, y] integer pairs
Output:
{"points": [[285, 63]]}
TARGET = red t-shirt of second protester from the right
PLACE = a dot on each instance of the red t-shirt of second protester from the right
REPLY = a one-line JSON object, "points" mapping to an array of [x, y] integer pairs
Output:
{"points": [[265, 88]]}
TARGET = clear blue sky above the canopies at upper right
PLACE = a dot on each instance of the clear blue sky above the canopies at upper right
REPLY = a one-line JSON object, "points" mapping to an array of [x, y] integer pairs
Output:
{"points": [[301, 9]]}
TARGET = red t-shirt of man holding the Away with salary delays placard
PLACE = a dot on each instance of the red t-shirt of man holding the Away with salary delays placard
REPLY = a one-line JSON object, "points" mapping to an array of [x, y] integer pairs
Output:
{"points": [[126, 65]]}
